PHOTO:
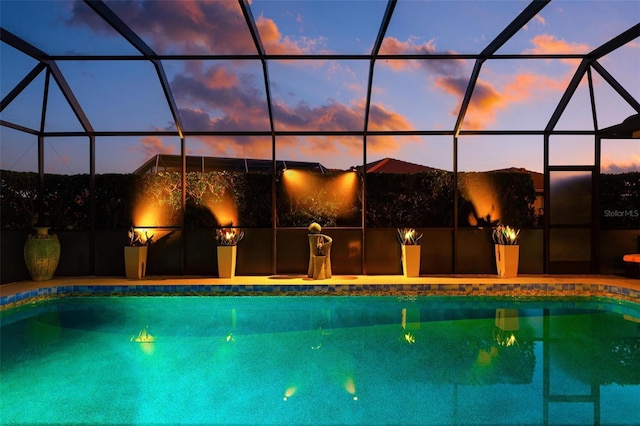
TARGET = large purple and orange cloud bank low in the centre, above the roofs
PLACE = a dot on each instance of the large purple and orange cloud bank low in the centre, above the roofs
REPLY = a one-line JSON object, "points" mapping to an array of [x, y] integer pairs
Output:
{"points": [[242, 106]]}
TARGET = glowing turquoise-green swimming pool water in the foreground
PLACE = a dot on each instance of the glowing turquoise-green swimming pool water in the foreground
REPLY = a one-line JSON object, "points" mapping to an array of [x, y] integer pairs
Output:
{"points": [[321, 360]]}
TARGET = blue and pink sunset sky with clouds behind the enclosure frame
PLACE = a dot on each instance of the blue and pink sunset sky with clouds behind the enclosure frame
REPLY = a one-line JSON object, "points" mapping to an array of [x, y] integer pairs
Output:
{"points": [[308, 95]]}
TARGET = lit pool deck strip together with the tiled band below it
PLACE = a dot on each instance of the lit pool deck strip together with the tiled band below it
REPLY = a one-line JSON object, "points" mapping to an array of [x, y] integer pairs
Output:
{"points": [[537, 285]]}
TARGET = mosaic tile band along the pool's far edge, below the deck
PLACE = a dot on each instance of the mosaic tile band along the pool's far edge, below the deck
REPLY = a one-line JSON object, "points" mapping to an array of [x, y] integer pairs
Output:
{"points": [[515, 290]]}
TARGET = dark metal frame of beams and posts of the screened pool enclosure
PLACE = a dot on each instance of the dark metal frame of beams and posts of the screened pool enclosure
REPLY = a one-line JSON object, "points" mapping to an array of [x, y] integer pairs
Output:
{"points": [[50, 64]]}
